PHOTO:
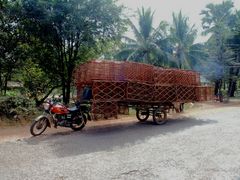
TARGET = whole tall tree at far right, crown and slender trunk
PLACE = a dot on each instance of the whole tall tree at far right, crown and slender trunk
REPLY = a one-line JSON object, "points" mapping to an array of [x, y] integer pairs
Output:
{"points": [[216, 21]]}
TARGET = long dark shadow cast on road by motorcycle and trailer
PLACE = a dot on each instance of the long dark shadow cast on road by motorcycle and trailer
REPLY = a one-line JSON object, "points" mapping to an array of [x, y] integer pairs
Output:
{"points": [[109, 137]]}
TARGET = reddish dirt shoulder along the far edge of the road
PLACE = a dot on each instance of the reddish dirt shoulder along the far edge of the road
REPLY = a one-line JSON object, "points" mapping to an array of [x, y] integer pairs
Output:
{"points": [[13, 133]]}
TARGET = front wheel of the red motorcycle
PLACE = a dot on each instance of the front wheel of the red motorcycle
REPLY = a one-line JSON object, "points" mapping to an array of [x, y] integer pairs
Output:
{"points": [[38, 127]]}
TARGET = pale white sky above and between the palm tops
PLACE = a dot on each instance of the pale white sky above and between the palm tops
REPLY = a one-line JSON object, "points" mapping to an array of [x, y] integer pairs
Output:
{"points": [[163, 10]]}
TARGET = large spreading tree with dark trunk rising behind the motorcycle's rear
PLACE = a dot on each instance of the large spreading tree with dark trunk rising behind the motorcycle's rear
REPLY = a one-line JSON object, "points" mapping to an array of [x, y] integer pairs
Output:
{"points": [[75, 30]]}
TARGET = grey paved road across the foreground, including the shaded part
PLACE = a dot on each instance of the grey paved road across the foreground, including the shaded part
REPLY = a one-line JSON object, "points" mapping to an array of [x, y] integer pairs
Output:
{"points": [[199, 145]]}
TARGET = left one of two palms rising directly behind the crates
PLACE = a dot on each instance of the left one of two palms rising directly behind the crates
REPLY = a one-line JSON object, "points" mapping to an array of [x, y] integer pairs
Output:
{"points": [[144, 47]]}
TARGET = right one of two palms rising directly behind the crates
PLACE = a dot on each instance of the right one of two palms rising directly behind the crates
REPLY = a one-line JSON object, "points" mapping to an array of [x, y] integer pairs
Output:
{"points": [[187, 53]]}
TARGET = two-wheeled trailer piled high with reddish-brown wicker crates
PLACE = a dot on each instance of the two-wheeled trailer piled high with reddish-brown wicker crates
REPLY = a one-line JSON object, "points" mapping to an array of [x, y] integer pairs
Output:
{"points": [[152, 91]]}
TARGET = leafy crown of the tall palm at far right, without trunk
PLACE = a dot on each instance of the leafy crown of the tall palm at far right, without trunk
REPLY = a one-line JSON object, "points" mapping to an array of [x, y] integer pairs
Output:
{"points": [[217, 20]]}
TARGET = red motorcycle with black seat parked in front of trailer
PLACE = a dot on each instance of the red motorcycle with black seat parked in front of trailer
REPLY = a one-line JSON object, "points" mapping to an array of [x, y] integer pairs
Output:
{"points": [[57, 114]]}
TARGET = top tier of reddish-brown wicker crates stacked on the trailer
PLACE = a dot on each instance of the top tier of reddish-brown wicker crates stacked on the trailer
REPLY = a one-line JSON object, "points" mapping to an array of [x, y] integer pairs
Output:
{"points": [[135, 72]]}
